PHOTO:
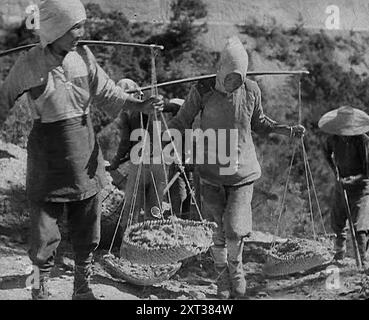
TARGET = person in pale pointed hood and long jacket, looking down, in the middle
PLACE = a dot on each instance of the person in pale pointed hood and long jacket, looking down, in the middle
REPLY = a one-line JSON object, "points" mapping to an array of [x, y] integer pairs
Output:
{"points": [[233, 102]]}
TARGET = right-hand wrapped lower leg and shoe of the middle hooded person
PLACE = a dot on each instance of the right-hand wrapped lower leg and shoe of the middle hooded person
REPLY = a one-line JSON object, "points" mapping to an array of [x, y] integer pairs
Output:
{"points": [[235, 267]]}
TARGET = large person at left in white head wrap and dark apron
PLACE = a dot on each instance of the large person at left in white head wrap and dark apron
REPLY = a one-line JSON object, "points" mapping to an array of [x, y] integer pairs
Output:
{"points": [[65, 168]]}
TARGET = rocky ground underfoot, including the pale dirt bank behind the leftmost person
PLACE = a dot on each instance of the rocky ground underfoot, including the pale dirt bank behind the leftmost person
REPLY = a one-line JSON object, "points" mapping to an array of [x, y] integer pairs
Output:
{"points": [[193, 281]]}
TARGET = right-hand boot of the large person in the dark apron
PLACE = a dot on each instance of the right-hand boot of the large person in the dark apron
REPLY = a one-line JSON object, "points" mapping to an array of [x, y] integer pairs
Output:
{"points": [[82, 290]]}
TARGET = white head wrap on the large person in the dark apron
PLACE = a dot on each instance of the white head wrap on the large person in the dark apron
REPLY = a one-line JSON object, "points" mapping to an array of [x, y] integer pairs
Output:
{"points": [[57, 17]]}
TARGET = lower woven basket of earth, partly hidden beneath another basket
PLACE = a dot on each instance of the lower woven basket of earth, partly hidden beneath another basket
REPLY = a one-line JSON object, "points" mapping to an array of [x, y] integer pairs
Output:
{"points": [[138, 274]]}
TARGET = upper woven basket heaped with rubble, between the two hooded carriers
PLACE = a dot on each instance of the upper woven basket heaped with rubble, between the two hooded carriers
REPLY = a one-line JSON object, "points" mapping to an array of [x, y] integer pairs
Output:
{"points": [[181, 239]]}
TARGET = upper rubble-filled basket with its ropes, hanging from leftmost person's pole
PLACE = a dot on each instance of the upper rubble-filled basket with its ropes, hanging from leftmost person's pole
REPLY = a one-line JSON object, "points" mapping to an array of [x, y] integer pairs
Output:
{"points": [[165, 241]]}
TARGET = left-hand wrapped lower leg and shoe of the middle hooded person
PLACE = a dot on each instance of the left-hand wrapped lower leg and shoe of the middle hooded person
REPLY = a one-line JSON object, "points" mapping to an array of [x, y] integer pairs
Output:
{"points": [[219, 254]]}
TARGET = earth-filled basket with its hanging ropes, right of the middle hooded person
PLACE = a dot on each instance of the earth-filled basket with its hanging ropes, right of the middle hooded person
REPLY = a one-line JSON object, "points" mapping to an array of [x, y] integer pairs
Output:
{"points": [[297, 255]]}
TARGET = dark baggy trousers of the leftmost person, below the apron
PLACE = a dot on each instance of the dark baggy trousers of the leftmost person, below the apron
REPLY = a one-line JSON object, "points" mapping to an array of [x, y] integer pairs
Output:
{"points": [[83, 224]]}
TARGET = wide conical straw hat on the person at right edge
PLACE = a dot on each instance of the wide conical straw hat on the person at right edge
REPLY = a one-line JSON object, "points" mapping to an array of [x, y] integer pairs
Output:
{"points": [[345, 121]]}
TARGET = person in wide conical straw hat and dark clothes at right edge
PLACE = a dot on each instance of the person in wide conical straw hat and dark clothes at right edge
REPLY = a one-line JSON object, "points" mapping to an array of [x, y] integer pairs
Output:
{"points": [[347, 152]]}
